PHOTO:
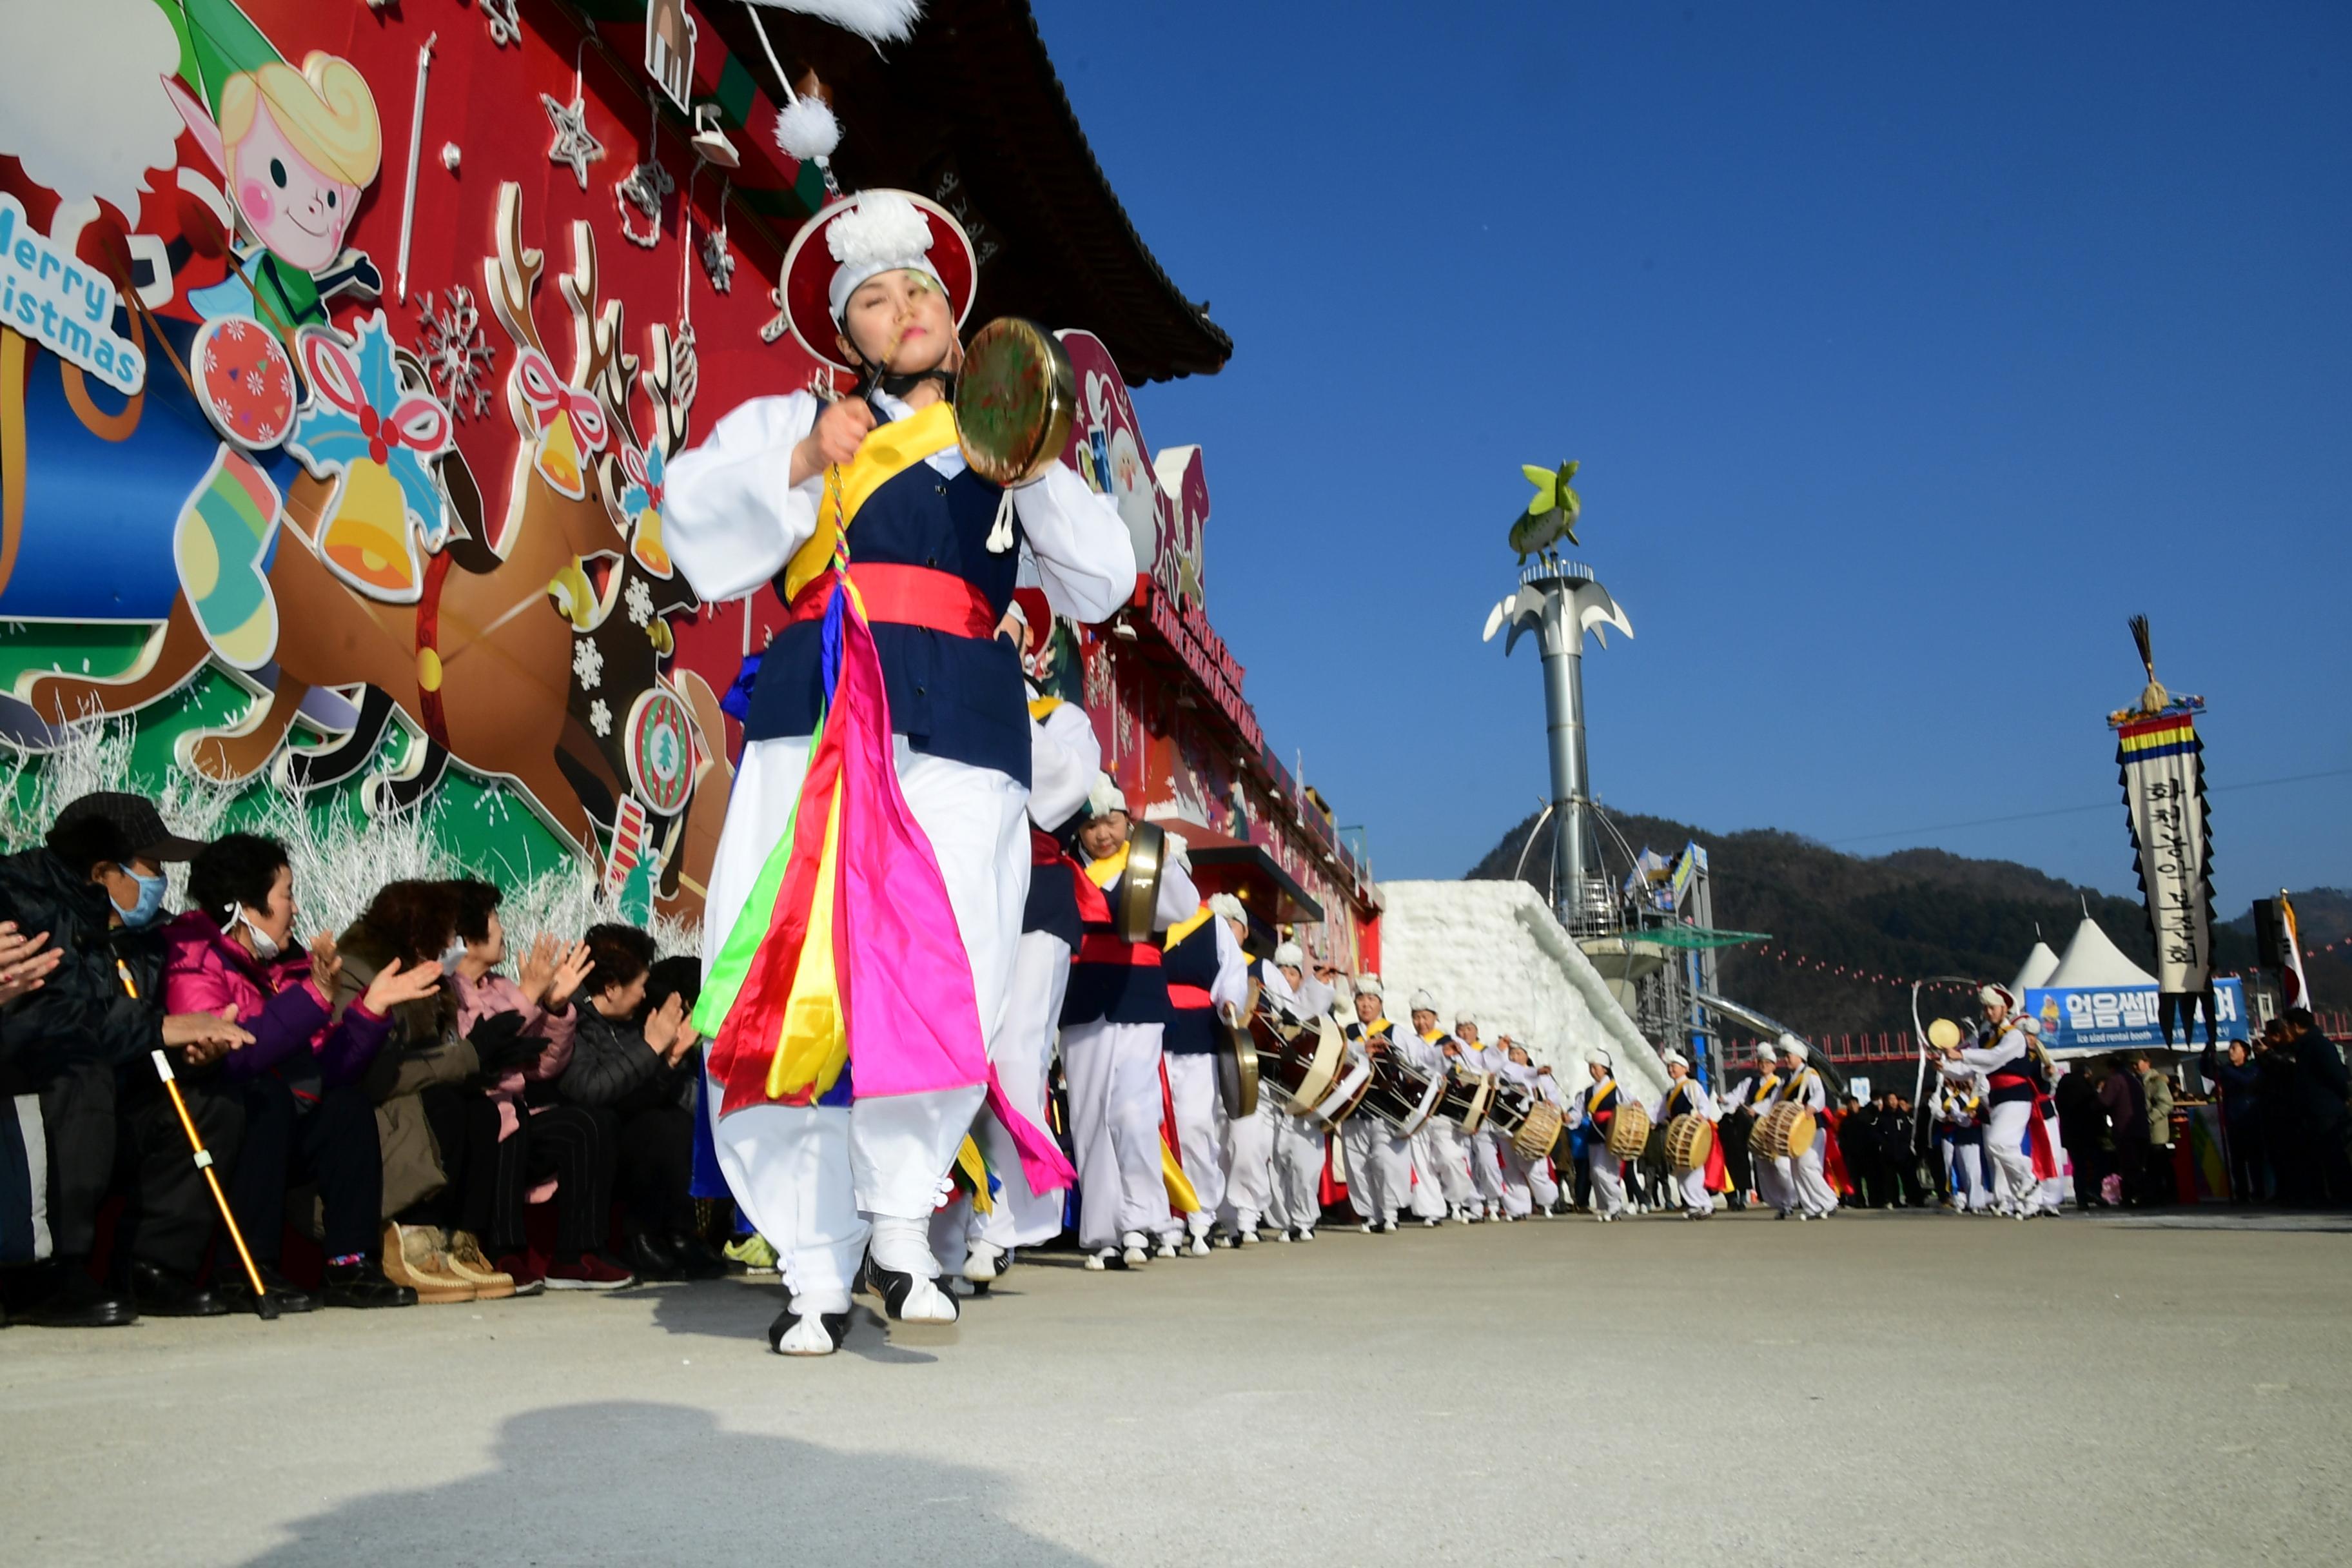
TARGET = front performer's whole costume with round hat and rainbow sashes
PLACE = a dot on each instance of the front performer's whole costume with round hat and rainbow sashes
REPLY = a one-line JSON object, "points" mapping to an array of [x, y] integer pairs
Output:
{"points": [[890, 579]]}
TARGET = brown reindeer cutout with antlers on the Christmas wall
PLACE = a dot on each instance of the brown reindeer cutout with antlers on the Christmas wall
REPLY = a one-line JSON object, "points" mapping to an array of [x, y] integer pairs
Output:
{"points": [[486, 662]]}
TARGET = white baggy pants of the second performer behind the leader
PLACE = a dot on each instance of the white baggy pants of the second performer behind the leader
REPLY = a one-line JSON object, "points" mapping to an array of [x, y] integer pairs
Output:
{"points": [[1114, 1073]]}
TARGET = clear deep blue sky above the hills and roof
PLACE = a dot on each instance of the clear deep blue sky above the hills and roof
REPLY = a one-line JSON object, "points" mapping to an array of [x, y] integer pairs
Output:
{"points": [[1906, 349]]}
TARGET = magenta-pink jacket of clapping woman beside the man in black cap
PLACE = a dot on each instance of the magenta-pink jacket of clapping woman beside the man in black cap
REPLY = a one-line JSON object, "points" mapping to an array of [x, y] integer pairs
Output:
{"points": [[276, 1000]]}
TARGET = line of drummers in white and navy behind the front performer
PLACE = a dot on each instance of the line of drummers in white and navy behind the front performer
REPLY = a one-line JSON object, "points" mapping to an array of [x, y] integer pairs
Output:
{"points": [[1212, 1099]]}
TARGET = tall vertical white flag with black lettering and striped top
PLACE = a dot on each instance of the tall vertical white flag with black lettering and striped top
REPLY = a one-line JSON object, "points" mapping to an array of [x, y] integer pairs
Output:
{"points": [[2163, 768]]}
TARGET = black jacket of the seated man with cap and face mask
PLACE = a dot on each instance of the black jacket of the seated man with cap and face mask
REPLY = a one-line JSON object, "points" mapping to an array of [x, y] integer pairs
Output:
{"points": [[83, 1010]]}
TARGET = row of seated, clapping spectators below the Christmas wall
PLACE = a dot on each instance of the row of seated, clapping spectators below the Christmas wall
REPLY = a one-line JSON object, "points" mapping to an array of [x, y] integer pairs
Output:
{"points": [[406, 1099]]}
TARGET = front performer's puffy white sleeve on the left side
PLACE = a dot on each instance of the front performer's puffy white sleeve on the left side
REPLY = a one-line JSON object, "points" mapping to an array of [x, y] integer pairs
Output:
{"points": [[733, 516]]}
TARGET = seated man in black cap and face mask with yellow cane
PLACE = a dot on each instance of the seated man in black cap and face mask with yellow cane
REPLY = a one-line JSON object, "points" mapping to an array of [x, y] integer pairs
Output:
{"points": [[83, 1040]]}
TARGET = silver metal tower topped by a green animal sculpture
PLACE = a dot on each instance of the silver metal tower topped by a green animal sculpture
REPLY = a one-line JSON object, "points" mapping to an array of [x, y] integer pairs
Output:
{"points": [[1561, 601]]}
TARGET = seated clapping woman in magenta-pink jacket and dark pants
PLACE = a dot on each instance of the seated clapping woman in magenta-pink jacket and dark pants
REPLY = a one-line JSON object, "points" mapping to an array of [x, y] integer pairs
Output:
{"points": [[307, 1120]]}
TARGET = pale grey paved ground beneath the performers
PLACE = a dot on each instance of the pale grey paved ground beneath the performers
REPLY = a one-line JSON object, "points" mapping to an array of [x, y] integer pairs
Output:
{"points": [[1880, 1388]]}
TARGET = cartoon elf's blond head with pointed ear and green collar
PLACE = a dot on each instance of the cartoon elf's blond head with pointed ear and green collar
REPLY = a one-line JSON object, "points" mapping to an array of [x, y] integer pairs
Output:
{"points": [[298, 149]]}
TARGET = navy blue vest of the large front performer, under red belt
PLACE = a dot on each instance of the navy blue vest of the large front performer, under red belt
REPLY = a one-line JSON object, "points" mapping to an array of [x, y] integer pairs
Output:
{"points": [[951, 697]]}
